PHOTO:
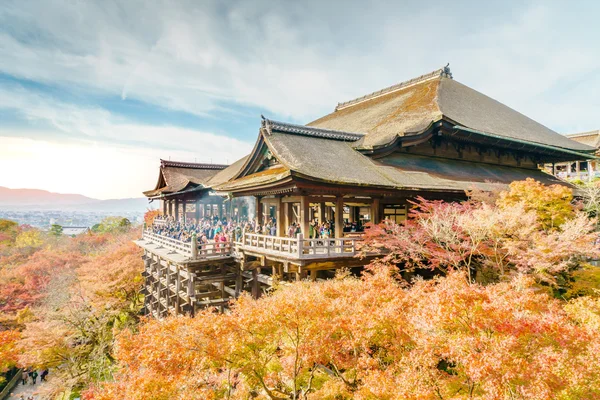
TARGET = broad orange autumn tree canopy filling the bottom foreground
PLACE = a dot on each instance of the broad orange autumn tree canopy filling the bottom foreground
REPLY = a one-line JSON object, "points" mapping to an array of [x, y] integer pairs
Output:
{"points": [[369, 338]]}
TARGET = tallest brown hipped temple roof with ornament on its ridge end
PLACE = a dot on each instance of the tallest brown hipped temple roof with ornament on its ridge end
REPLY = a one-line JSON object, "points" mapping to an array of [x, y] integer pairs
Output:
{"points": [[412, 106]]}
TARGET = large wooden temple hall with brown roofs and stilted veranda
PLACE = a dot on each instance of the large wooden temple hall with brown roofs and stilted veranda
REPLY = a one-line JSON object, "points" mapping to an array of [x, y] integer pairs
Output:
{"points": [[430, 136]]}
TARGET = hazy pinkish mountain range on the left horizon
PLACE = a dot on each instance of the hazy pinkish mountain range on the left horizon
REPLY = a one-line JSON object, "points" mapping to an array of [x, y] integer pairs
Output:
{"points": [[35, 199]]}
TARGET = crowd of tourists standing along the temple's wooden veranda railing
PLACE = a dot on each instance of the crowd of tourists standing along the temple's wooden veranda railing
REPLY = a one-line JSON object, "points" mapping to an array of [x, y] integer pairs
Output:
{"points": [[214, 229]]}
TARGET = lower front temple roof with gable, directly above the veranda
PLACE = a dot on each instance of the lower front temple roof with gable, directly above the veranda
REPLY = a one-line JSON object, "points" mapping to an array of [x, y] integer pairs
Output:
{"points": [[319, 157]]}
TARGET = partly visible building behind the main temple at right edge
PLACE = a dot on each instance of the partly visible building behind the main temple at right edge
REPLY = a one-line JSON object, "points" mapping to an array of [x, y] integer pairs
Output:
{"points": [[584, 171]]}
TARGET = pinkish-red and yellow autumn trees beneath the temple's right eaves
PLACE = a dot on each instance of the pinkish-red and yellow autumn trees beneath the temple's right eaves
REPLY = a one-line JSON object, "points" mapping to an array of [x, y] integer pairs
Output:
{"points": [[543, 234]]}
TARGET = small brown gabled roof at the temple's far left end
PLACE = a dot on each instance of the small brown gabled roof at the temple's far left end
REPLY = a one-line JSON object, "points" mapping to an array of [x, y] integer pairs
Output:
{"points": [[176, 176]]}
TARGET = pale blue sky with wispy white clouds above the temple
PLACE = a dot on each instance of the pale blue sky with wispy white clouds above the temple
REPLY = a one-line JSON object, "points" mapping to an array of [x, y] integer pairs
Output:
{"points": [[94, 93]]}
